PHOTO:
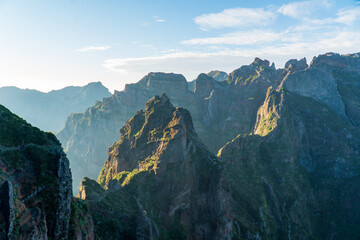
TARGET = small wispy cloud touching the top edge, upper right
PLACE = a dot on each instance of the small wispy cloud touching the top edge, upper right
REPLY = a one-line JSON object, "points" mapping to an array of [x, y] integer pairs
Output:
{"points": [[303, 9]]}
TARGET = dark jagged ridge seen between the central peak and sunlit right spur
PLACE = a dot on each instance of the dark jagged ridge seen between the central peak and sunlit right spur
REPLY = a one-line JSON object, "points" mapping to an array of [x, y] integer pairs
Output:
{"points": [[231, 109]]}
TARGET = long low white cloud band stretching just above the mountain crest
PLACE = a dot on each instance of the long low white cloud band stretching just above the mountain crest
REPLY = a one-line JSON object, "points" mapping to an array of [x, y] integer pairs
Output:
{"points": [[193, 63]]}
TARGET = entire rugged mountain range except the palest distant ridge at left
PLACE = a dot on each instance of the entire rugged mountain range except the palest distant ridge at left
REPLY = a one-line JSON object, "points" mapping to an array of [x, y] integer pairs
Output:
{"points": [[267, 154]]}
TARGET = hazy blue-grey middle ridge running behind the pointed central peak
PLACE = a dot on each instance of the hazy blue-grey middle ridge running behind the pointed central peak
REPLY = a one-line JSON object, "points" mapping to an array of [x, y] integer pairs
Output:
{"points": [[220, 111]]}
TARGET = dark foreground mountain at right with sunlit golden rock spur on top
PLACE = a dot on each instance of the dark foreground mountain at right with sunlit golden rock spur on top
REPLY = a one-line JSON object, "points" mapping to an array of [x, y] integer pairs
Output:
{"points": [[297, 176]]}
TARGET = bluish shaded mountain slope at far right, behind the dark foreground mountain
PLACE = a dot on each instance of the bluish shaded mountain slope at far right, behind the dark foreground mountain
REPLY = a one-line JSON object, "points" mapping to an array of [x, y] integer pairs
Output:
{"points": [[332, 79]]}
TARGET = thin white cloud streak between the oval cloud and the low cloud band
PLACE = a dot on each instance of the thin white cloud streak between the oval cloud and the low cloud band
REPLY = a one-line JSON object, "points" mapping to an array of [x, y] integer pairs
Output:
{"points": [[238, 38]]}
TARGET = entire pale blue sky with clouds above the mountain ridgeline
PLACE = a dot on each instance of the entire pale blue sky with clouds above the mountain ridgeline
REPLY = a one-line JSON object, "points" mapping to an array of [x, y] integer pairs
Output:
{"points": [[48, 45]]}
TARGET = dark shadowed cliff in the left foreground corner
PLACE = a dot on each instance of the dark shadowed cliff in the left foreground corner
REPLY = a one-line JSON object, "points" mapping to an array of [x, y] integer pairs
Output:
{"points": [[35, 182]]}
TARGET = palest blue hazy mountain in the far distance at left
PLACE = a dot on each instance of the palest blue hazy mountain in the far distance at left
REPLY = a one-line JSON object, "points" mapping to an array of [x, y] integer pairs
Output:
{"points": [[49, 111]]}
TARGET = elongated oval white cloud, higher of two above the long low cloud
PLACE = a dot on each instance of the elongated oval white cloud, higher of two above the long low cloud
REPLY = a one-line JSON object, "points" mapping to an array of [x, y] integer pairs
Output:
{"points": [[235, 17]]}
